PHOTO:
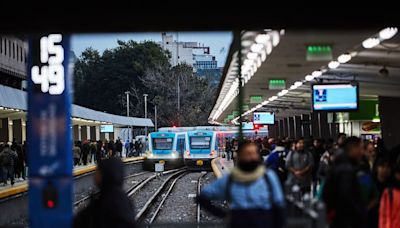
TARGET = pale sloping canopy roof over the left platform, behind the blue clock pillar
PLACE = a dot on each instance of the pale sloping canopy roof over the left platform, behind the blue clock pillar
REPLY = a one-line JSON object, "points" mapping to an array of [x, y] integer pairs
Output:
{"points": [[12, 100]]}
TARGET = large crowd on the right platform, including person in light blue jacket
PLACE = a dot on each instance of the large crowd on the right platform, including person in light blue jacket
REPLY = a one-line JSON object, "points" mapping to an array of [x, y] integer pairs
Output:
{"points": [[358, 180]]}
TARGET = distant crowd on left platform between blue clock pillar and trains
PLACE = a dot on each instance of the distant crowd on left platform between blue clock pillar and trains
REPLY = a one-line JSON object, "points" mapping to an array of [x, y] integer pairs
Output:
{"points": [[90, 151]]}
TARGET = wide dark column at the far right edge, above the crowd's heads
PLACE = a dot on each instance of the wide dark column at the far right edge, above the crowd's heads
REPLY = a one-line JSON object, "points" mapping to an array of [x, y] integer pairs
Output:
{"points": [[389, 117]]}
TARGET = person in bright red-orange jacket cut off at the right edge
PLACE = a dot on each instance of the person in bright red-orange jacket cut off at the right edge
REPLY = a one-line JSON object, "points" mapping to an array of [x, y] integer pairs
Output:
{"points": [[389, 216]]}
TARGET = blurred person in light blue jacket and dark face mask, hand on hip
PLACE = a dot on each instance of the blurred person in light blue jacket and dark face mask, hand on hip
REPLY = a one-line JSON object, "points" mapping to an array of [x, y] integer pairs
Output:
{"points": [[254, 194]]}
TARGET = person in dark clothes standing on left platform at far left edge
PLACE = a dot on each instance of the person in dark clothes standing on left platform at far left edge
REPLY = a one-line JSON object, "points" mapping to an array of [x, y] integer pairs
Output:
{"points": [[8, 158]]}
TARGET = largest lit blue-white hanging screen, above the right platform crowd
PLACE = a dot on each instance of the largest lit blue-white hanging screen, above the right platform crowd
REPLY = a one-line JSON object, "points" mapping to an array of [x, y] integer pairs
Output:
{"points": [[334, 97]]}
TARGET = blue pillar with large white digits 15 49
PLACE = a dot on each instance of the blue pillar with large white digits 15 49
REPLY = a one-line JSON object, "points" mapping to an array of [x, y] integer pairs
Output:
{"points": [[49, 131]]}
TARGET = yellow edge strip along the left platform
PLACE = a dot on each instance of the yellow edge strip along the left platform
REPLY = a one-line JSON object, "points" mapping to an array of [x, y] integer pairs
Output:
{"points": [[77, 172]]}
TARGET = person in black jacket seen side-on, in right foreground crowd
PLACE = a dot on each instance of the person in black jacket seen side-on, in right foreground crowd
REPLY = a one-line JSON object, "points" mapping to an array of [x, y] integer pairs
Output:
{"points": [[342, 191]]}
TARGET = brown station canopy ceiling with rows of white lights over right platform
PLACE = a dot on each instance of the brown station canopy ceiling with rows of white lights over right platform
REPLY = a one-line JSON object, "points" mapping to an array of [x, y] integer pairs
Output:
{"points": [[288, 56]]}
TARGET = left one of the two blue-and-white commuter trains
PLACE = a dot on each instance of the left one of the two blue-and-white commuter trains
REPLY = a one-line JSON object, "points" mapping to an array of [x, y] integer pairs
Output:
{"points": [[166, 148]]}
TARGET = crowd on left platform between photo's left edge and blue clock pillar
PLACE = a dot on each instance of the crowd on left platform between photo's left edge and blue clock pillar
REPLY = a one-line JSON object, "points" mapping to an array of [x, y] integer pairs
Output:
{"points": [[13, 162]]}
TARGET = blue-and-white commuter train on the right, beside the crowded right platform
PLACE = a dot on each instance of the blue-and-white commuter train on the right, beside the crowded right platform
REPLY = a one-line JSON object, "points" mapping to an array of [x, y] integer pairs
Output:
{"points": [[203, 147]]}
